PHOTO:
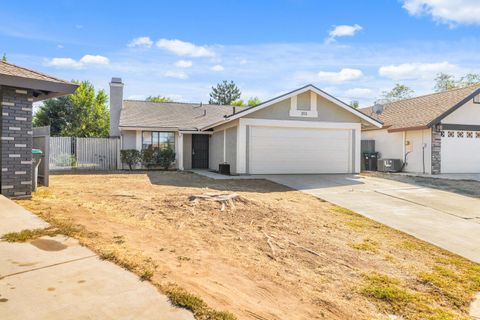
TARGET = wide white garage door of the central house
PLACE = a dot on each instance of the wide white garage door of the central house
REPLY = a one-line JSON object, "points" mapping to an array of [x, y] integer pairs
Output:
{"points": [[299, 150]]}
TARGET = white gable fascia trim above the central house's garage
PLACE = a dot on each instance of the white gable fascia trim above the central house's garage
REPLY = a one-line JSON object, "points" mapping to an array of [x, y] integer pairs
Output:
{"points": [[294, 93]]}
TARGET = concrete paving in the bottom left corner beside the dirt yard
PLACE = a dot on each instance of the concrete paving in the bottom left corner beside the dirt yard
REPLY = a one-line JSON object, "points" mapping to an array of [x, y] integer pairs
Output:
{"points": [[56, 278]]}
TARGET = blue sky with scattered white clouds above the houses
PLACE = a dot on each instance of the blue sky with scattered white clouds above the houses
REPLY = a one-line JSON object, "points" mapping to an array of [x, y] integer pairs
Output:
{"points": [[352, 49]]}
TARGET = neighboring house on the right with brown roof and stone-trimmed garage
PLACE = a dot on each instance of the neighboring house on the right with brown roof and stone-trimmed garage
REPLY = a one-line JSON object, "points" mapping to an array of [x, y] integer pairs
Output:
{"points": [[435, 133]]}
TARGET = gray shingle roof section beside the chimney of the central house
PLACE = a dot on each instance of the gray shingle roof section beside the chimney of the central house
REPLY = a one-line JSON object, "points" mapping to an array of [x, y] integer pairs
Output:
{"points": [[182, 116]]}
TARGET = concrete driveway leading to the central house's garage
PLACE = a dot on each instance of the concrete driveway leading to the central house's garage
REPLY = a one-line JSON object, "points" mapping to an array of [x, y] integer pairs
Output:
{"points": [[445, 219]]}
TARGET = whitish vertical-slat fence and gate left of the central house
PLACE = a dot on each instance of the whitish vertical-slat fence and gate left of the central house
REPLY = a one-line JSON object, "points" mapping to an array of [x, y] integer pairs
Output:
{"points": [[67, 153]]}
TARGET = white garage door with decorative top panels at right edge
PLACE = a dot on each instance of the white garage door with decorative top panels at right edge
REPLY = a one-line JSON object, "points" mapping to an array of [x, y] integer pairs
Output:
{"points": [[460, 152]]}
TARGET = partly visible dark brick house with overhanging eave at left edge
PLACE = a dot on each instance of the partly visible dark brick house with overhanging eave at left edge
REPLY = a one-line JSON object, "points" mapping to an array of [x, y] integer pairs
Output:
{"points": [[19, 88]]}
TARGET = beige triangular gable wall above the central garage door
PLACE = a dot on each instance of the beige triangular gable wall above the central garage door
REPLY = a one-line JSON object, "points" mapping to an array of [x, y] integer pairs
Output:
{"points": [[327, 111]]}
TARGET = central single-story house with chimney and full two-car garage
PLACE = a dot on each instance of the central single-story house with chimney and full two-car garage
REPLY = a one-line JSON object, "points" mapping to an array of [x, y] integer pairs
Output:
{"points": [[303, 131]]}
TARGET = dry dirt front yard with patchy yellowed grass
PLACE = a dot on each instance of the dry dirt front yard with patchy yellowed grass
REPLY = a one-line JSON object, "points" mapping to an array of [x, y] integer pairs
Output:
{"points": [[278, 254]]}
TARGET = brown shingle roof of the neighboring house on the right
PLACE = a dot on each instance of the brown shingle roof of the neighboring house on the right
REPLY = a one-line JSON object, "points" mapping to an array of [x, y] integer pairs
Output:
{"points": [[420, 111]]}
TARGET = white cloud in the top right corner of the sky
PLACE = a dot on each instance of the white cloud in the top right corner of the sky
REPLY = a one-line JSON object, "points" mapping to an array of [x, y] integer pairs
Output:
{"points": [[446, 11]]}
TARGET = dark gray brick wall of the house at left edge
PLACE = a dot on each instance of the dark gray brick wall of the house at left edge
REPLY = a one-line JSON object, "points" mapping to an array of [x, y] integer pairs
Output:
{"points": [[16, 142]]}
